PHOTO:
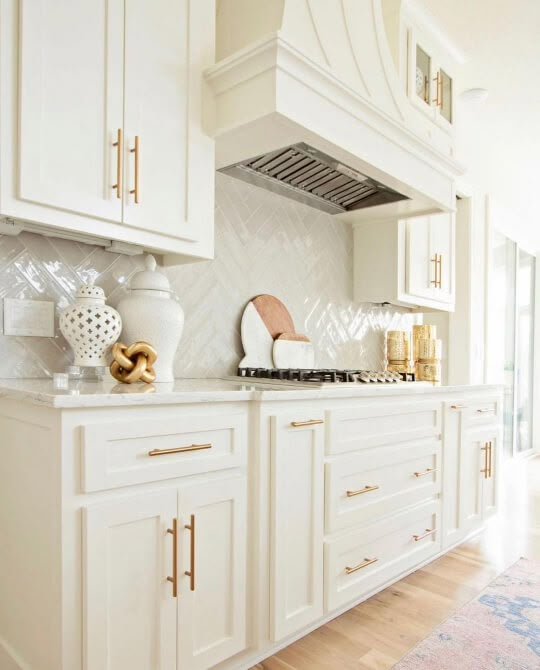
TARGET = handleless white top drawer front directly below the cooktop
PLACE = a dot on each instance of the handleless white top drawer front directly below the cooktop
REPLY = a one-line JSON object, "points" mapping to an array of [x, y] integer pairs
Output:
{"points": [[384, 423]]}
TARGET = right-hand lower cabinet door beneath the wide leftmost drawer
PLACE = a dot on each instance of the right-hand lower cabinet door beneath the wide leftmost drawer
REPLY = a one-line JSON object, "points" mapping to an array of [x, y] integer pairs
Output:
{"points": [[212, 599]]}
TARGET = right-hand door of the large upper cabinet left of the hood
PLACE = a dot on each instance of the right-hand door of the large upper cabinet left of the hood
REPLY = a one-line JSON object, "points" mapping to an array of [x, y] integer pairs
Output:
{"points": [[163, 79]]}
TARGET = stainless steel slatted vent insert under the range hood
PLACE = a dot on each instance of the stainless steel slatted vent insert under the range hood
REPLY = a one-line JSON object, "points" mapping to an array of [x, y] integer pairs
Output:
{"points": [[309, 176]]}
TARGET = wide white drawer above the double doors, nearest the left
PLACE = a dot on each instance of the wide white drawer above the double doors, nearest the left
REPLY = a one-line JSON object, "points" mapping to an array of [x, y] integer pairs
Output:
{"points": [[133, 452]]}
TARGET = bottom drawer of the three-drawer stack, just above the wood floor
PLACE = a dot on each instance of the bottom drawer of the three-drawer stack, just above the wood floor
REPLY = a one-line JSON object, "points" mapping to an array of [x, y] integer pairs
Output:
{"points": [[358, 563]]}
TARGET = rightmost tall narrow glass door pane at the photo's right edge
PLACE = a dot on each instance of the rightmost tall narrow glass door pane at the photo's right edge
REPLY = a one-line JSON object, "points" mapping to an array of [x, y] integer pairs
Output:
{"points": [[525, 331]]}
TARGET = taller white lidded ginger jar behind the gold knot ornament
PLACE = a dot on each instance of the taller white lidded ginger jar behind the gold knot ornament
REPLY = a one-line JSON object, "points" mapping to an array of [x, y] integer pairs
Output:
{"points": [[150, 314]]}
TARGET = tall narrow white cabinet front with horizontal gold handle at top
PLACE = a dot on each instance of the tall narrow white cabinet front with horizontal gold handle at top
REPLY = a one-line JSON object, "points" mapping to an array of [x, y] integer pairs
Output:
{"points": [[297, 515]]}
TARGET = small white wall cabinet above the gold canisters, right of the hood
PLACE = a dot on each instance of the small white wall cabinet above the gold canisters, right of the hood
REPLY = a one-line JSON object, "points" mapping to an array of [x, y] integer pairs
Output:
{"points": [[409, 262]]}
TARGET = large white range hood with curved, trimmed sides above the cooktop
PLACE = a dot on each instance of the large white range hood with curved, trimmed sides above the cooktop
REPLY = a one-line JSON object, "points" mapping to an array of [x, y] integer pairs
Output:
{"points": [[318, 76]]}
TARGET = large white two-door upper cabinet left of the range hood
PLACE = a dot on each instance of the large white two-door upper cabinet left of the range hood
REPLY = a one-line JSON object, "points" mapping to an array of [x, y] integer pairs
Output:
{"points": [[111, 146]]}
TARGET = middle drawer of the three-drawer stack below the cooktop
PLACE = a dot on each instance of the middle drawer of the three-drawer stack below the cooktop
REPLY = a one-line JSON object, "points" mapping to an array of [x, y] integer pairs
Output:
{"points": [[377, 482]]}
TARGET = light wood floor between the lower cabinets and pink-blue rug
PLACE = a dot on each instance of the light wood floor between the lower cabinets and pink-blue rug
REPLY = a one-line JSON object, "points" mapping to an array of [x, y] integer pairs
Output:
{"points": [[377, 633]]}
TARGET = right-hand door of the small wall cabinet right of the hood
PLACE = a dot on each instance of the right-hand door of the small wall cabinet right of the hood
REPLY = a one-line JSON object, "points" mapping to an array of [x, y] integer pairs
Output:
{"points": [[441, 243]]}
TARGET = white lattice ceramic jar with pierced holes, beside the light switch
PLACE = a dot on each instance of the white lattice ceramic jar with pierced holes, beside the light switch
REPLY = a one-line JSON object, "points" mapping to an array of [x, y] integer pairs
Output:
{"points": [[90, 326]]}
